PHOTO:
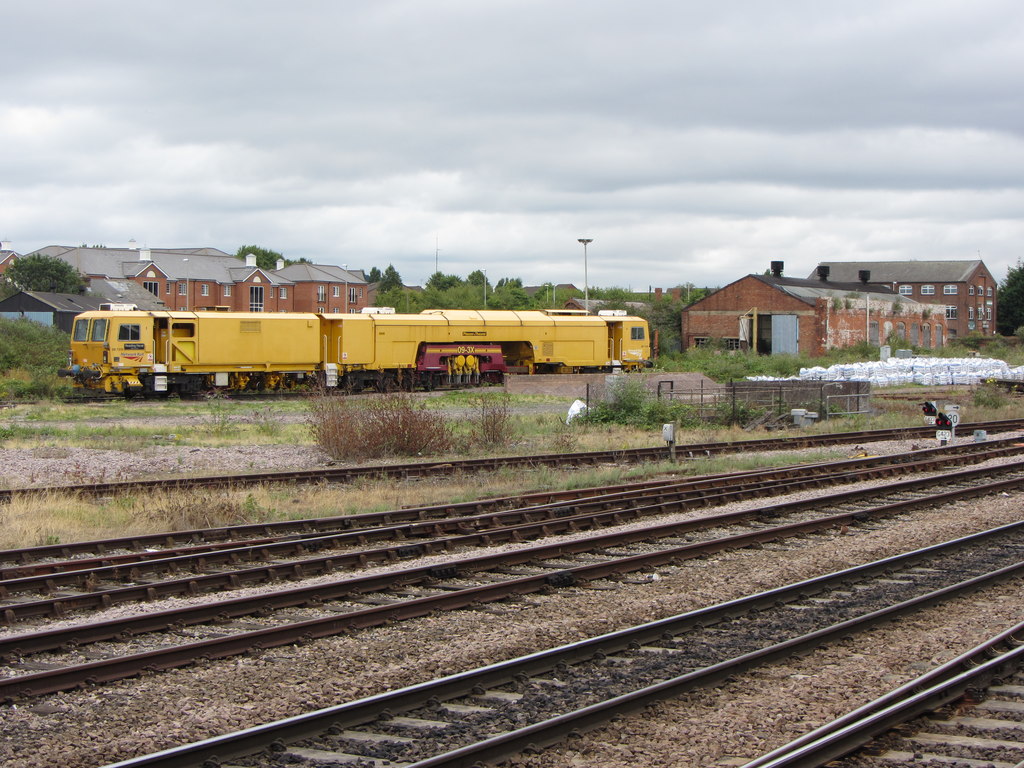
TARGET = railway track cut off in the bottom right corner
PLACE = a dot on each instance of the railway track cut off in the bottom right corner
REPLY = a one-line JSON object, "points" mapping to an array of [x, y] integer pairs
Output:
{"points": [[967, 712]]}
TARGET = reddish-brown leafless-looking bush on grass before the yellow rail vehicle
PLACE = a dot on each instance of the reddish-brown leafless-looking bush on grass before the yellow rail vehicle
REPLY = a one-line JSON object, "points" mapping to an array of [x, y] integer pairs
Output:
{"points": [[373, 429]]}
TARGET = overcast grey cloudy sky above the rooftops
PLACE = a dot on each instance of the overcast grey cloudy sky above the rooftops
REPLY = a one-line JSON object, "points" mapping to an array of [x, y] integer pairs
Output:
{"points": [[694, 142]]}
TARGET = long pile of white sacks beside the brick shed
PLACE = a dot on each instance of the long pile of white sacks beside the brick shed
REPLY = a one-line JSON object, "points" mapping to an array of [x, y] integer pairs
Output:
{"points": [[895, 372]]}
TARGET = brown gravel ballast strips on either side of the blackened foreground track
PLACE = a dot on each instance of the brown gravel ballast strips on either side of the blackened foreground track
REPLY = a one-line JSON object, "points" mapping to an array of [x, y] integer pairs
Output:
{"points": [[757, 712]]}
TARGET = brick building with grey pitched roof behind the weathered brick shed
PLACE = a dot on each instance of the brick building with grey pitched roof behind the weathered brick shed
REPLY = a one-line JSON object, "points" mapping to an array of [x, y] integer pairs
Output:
{"points": [[966, 289]]}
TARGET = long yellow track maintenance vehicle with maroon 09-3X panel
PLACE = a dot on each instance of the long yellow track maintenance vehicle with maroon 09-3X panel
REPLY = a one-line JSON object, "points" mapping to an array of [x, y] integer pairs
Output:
{"points": [[133, 352]]}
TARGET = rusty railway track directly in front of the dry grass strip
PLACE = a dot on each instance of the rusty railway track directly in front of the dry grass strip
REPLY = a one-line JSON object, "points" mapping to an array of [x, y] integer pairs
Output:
{"points": [[37, 569]]}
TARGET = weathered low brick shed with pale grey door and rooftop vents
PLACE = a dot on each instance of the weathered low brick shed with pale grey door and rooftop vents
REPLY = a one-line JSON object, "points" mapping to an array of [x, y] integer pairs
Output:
{"points": [[777, 316]]}
